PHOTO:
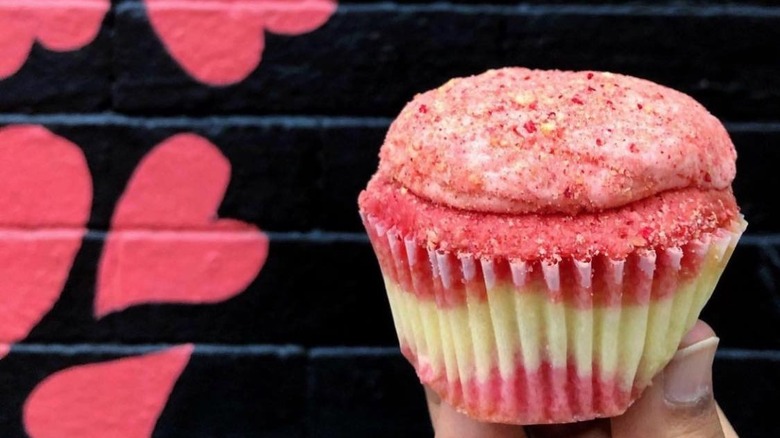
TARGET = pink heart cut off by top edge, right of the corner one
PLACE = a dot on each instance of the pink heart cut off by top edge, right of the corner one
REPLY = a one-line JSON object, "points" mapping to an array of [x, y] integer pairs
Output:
{"points": [[220, 42]]}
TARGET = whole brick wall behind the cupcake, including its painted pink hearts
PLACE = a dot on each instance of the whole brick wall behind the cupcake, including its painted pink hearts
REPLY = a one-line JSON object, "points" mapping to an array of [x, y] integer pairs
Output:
{"points": [[181, 253]]}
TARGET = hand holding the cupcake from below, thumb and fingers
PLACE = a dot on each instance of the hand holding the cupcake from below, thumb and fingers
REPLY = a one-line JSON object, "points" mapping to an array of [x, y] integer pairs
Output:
{"points": [[679, 404]]}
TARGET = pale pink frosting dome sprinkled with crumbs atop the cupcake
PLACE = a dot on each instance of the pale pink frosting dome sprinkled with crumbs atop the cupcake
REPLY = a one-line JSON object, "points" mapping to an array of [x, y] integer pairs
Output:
{"points": [[529, 141]]}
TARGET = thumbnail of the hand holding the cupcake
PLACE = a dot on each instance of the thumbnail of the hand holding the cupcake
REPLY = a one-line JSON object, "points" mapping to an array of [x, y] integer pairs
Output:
{"points": [[688, 377]]}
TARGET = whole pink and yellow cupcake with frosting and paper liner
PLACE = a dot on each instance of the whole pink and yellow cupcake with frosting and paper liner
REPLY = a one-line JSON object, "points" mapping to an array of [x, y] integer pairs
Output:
{"points": [[547, 237]]}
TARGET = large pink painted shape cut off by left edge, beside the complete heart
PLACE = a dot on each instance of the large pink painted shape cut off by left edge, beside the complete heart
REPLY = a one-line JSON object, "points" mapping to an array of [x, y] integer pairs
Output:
{"points": [[45, 198]]}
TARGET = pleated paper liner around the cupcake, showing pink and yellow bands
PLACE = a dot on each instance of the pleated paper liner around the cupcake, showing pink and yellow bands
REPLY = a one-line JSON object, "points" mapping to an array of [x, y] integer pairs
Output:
{"points": [[531, 342]]}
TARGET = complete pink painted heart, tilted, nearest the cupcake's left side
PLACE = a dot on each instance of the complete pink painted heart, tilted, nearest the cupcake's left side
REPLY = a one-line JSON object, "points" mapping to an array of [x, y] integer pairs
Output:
{"points": [[166, 243]]}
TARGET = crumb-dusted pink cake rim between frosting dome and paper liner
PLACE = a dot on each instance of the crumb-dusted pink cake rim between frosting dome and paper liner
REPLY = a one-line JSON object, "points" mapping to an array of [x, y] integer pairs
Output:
{"points": [[667, 219]]}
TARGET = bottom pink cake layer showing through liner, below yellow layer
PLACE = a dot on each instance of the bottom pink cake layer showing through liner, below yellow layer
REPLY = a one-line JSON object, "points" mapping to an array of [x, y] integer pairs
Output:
{"points": [[547, 394]]}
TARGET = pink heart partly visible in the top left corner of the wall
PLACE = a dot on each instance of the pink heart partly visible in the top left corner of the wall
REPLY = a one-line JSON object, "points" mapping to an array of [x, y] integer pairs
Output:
{"points": [[59, 26]]}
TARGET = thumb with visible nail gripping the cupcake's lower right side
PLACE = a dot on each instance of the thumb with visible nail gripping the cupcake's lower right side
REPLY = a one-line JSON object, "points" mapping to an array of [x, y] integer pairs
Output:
{"points": [[679, 404]]}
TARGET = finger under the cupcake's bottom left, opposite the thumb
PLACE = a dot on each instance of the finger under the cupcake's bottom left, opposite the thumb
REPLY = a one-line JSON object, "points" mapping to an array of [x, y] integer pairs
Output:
{"points": [[449, 423]]}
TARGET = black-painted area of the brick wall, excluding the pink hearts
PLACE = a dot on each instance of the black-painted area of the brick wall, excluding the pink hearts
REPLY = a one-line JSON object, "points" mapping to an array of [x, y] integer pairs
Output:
{"points": [[309, 348]]}
